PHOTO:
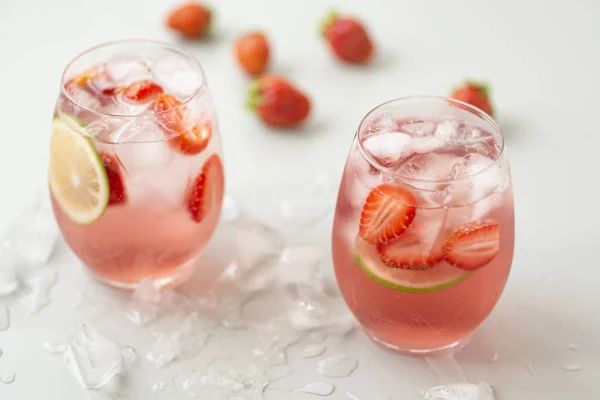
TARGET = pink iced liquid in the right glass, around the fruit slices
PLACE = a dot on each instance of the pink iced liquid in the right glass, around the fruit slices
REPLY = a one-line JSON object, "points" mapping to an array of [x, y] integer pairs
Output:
{"points": [[428, 321]]}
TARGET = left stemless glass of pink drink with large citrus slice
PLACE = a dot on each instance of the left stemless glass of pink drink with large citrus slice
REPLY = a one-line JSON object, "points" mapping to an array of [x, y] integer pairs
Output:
{"points": [[136, 174]]}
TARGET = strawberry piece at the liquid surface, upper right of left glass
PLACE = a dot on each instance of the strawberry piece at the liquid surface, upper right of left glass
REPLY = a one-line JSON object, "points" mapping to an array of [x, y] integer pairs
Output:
{"points": [[170, 114]]}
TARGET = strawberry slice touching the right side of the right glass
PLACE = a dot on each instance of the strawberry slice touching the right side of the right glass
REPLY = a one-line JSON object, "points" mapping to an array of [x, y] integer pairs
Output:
{"points": [[474, 244]]}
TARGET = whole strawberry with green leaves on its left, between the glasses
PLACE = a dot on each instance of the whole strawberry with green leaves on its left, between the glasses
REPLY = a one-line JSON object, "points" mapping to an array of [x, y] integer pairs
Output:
{"points": [[277, 102]]}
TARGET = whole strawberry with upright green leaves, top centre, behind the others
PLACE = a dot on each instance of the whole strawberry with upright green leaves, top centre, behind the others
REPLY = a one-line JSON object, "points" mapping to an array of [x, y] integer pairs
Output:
{"points": [[348, 38]]}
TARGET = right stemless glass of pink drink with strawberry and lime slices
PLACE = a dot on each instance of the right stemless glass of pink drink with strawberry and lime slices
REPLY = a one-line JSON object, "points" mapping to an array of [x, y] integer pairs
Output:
{"points": [[423, 234]]}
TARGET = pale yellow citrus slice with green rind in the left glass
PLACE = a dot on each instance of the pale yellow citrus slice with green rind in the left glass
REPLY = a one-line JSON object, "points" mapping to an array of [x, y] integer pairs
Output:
{"points": [[77, 177]]}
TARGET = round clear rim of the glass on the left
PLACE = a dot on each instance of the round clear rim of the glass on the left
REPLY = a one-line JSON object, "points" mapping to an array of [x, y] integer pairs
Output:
{"points": [[156, 43]]}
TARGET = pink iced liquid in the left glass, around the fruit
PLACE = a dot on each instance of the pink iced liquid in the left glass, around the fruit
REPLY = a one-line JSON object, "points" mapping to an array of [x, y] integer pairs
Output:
{"points": [[153, 233]]}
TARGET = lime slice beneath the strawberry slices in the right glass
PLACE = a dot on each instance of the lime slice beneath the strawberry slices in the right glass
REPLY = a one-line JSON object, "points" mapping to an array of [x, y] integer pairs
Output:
{"points": [[438, 277]]}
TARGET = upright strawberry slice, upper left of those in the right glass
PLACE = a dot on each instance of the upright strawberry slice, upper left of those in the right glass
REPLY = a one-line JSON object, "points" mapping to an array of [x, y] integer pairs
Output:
{"points": [[386, 214]]}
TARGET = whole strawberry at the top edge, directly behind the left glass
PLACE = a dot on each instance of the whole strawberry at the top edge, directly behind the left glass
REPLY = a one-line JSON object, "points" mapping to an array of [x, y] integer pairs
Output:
{"points": [[191, 20]]}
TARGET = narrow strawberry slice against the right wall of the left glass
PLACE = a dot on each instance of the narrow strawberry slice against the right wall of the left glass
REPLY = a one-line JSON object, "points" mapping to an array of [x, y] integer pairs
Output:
{"points": [[206, 192]]}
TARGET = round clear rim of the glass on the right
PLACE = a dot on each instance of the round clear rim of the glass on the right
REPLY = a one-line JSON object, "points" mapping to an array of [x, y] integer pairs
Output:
{"points": [[468, 107]]}
